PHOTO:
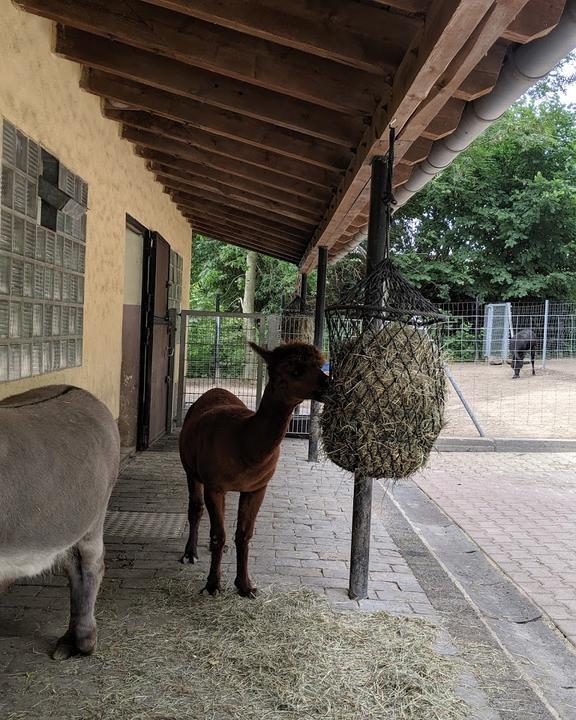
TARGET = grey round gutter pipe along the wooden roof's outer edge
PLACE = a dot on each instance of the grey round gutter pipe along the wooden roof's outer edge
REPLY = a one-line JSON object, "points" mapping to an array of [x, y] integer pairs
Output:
{"points": [[525, 66]]}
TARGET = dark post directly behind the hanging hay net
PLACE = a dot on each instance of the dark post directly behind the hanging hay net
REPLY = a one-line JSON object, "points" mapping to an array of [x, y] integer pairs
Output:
{"points": [[377, 250]]}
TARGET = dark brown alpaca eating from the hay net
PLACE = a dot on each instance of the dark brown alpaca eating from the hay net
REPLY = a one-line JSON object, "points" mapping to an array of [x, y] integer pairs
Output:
{"points": [[225, 447]]}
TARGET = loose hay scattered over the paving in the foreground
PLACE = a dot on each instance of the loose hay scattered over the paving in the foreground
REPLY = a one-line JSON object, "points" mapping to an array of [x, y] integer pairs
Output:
{"points": [[284, 656]]}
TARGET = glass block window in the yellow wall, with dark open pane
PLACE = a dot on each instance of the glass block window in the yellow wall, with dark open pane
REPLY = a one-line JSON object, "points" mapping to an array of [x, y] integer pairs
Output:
{"points": [[41, 268]]}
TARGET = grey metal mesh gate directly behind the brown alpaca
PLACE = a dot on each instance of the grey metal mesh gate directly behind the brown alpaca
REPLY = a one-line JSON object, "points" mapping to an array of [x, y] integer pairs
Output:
{"points": [[214, 352]]}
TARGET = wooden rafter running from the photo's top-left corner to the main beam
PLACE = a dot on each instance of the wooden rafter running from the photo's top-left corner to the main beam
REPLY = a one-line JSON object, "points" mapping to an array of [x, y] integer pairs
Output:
{"points": [[201, 44]]}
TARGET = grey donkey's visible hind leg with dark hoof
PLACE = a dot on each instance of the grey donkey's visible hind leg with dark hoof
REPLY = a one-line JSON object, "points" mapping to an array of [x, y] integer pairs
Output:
{"points": [[84, 565]]}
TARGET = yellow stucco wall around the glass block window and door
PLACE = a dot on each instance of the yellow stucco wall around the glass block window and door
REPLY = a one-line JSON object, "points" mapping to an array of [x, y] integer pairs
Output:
{"points": [[39, 93]]}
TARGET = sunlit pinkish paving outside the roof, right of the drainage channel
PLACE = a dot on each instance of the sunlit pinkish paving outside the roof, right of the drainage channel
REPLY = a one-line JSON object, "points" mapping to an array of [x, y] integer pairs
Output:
{"points": [[521, 510]]}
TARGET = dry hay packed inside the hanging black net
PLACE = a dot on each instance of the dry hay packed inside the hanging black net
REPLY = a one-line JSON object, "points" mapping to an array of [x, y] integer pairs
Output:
{"points": [[385, 407]]}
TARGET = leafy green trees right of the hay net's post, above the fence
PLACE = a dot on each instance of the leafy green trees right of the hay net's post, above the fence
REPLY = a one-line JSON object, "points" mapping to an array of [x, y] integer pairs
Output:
{"points": [[500, 222]]}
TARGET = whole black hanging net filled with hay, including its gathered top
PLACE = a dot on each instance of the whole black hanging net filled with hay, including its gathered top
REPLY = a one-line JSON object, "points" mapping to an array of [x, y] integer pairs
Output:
{"points": [[385, 407]]}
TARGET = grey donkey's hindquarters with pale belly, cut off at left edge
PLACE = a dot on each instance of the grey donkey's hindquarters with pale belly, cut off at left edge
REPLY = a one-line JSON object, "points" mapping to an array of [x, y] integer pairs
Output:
{"points": [[59, 457]]}
